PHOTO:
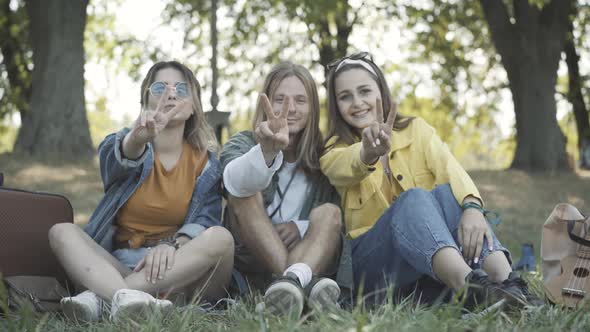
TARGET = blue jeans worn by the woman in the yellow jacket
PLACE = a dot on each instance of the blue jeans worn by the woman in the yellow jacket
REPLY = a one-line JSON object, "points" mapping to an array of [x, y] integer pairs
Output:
{"points": [[398, 249]]}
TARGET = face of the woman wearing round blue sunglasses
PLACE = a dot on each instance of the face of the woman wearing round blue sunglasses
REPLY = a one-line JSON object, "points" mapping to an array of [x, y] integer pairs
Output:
{"points": [[170, 76]]}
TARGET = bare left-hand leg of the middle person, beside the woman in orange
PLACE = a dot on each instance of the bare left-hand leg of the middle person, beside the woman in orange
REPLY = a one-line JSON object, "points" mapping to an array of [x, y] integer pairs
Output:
{"points": [[257, 233]]}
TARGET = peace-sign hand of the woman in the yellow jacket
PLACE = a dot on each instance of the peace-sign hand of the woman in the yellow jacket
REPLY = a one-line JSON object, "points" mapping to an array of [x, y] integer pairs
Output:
{"points": [[376, 138]]}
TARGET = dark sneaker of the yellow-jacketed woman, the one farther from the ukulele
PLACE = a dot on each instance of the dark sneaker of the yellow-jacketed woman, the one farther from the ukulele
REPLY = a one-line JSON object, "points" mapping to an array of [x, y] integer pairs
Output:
{"points": [[480, 292]]}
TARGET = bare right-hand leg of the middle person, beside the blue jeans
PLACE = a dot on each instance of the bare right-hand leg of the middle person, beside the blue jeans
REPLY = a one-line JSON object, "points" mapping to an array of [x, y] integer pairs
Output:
{"points": [[321, 243]]}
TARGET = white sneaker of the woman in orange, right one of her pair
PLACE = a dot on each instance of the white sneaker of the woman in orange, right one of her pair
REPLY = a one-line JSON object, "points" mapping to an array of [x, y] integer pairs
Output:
{"points": [[130, 302]]}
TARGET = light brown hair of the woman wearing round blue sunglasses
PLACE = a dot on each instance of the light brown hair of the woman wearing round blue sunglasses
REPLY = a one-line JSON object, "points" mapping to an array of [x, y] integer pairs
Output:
{"points": [[197, 131]]}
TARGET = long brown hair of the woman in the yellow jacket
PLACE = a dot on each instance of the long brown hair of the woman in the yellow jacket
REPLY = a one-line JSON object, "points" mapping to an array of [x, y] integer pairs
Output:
{"points": [[336, 124]]}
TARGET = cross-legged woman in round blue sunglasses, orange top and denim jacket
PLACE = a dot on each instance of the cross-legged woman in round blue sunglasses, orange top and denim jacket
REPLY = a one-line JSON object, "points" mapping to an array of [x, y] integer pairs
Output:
{"points": [[157, 228]]}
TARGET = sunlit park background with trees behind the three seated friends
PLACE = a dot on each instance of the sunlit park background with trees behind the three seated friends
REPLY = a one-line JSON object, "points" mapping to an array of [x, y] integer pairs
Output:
{"points": [[505, 83]]}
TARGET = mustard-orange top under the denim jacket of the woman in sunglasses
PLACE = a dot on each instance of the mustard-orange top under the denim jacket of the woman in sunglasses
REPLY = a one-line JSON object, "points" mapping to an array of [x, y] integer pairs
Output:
{"points": [[159, 206]]}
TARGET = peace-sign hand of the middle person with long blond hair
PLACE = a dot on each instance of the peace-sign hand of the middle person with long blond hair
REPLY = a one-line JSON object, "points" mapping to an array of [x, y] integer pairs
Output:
{"points": [[272, 134]]}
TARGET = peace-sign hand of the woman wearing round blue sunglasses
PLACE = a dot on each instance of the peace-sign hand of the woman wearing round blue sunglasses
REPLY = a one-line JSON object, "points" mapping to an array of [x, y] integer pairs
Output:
{"points": [[151, 122]]}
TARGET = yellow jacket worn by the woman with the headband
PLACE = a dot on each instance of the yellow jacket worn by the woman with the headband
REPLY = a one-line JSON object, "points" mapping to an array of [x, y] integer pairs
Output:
{"points": [[418, 158]]}
